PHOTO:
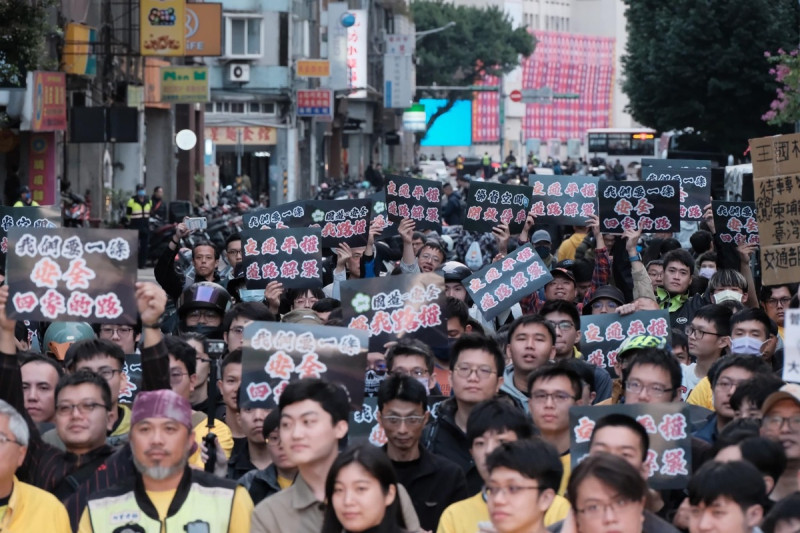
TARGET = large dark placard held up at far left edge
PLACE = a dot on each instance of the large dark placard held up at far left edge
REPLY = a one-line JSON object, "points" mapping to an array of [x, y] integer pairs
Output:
{"points": [[72, 274]]}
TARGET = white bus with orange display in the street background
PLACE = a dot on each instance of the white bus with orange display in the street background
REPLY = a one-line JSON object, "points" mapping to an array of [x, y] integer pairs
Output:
{"points": [[604, 146]]}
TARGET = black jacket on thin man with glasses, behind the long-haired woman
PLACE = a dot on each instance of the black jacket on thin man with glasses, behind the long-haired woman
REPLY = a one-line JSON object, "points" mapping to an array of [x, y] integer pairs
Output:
{"points": [[433, 483]]}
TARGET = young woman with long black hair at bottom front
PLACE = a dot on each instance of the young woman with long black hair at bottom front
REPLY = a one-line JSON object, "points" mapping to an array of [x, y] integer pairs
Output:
{"points": [[361, 493]]}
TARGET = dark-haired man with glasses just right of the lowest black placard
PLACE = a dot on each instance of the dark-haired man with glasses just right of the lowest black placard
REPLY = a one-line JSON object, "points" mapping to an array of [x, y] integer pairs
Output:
{"points": [[728, 374]]}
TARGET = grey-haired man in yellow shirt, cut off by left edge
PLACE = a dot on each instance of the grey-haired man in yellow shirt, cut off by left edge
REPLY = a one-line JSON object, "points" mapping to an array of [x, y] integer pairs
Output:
{"points": [[22, 506]]}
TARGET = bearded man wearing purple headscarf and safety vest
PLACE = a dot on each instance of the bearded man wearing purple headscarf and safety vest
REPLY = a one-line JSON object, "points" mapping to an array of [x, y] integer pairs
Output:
{"points": [[165, 491]]}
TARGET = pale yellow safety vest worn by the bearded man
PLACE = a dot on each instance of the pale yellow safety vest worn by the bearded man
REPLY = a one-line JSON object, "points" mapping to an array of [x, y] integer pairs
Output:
{"points": [[206, 508]]}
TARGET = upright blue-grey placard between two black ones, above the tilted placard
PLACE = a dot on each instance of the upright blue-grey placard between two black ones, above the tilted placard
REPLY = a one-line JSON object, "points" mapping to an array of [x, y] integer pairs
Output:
{"points": [[563, 200]]}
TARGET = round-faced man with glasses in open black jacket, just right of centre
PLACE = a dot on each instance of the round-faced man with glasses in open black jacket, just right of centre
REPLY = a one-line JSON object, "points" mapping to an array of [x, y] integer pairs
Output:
{"points": [[476, 366]]}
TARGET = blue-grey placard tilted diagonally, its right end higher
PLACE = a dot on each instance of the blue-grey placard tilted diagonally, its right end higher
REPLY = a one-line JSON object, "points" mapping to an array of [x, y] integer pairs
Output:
{"points": [[499, 285]]}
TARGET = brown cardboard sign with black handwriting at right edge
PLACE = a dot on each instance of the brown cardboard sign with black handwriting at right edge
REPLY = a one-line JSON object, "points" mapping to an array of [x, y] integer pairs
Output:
{"points": [[776, 184]]}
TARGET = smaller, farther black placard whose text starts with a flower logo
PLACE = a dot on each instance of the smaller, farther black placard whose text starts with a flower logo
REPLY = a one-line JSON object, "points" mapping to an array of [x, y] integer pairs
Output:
{"points": [[341, 220]]}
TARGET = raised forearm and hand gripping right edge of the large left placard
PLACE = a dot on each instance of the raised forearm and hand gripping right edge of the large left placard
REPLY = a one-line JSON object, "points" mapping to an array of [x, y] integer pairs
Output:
{"points": [[151, 301]]}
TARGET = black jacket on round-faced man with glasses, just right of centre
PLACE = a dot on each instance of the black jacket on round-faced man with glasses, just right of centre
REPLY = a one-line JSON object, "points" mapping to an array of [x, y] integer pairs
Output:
{"points": [[443, 437]]}
